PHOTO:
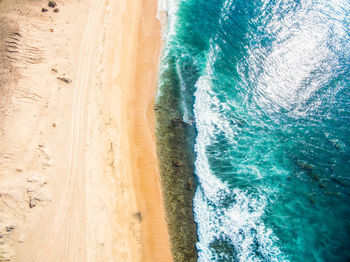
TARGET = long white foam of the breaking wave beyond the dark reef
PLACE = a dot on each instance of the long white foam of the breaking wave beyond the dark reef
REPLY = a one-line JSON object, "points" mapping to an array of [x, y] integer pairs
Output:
{"points": [[236, 223]]}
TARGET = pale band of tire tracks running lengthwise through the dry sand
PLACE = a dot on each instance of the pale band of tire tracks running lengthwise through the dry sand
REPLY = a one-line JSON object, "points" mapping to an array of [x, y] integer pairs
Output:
{"points": [[68, 239]]}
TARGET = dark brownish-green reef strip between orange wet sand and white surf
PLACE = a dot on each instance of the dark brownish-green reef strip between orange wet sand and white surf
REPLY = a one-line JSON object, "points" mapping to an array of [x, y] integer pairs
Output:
{"points": [[175, 151]]}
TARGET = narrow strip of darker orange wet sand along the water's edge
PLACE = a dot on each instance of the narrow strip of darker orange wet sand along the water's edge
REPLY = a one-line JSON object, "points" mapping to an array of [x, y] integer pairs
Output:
{"points": [[156, 238]]}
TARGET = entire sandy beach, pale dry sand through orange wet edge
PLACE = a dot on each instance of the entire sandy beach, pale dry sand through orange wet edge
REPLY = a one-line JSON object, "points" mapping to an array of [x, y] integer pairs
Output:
{"points": [[78, 171]]}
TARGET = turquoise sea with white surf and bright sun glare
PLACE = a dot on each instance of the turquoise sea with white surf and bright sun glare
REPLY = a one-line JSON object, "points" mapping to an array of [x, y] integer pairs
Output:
{"points": [[266, 86]]}
